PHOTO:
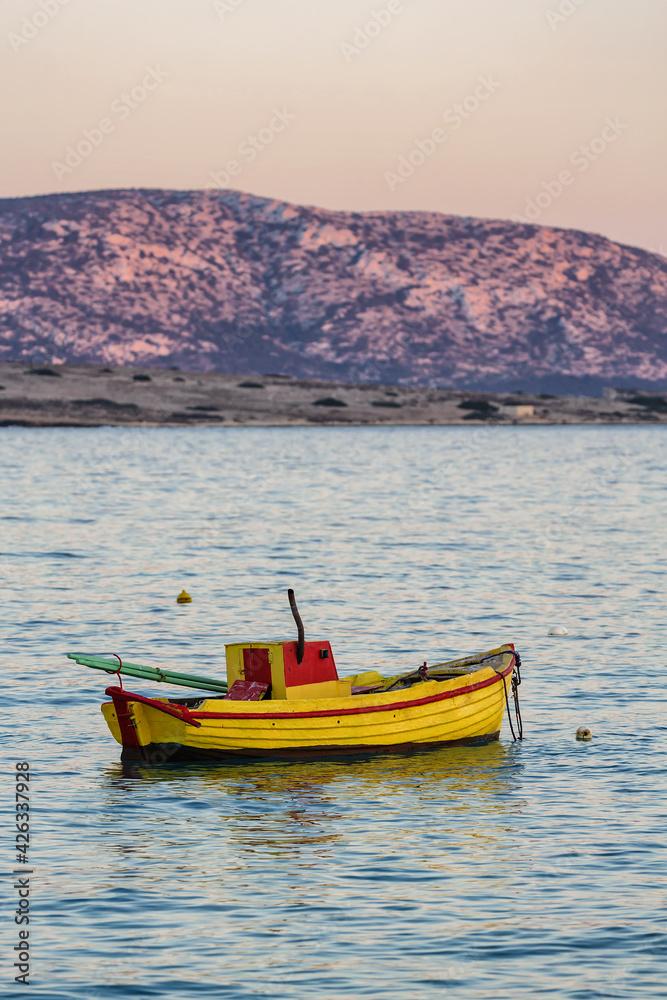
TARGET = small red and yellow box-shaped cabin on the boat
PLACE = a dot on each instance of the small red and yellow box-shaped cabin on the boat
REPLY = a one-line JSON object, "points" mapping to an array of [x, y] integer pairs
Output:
{"points": [[272, 670]]}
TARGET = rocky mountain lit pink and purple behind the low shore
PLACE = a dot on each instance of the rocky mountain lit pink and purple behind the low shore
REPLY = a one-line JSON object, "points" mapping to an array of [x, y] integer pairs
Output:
{"points": [[219, 280]]}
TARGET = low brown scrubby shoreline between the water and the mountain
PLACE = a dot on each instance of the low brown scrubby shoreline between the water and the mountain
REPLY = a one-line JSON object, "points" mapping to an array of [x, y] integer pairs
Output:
{"points": [[110, 396]]}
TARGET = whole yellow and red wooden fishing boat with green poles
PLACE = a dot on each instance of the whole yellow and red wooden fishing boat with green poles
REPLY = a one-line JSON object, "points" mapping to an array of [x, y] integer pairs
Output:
{"points": [[284, 699]]}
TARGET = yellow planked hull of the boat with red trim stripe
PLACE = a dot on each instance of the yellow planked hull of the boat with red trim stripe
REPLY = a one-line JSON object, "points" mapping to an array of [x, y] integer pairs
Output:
{"points": [[465, 707]]}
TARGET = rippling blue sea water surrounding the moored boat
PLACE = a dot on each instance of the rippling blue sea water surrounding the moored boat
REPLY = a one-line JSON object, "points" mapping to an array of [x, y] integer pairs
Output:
{"points": [[506, 871]]}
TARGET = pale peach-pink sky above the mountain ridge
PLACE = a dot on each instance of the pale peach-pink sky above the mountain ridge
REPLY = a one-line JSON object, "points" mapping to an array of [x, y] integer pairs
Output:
{"points": [[320, 102]]}
